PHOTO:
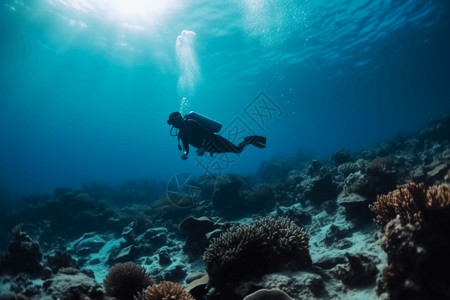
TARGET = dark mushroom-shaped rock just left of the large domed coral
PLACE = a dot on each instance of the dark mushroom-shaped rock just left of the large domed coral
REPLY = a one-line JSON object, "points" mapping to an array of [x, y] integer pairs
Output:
{"points": [[195, 230]]}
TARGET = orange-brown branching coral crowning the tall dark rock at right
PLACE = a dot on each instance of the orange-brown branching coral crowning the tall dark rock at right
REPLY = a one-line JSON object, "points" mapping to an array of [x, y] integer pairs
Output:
{"points": [[412, 202]]}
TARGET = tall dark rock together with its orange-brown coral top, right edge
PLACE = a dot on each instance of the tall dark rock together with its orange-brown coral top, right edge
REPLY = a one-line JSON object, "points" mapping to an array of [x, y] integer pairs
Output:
{"points": [[416, 225]]}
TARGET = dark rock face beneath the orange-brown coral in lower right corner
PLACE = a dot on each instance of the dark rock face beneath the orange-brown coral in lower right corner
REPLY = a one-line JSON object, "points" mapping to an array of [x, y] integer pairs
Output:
{"points": [[418, 255]]}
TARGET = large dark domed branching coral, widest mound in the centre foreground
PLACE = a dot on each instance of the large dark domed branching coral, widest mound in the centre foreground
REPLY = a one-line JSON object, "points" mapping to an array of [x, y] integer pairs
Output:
{"points": [[266, 245]]}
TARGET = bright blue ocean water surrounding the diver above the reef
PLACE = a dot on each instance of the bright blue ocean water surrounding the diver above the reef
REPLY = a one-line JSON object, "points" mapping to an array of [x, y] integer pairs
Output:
{"points": [[87, 85]]}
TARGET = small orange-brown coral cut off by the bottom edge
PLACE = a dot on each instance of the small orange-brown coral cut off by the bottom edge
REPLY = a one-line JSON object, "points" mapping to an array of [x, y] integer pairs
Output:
{"points": [[167, 290]]}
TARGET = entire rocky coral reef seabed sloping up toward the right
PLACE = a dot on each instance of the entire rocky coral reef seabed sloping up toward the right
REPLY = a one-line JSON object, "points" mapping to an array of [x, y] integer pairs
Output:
{"points": [[81, 233]]}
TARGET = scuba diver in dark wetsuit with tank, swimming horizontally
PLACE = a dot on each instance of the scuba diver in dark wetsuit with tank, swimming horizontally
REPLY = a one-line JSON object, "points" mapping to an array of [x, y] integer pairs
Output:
{"points": [[201, 132]]}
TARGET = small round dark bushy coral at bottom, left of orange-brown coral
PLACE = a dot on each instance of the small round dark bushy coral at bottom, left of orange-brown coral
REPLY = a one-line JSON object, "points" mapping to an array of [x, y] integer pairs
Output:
{"points": [[125, 280]]}
